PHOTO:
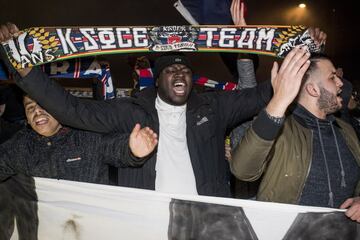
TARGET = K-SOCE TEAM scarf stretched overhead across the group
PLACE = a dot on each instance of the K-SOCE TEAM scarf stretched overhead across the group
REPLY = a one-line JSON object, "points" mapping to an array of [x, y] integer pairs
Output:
{"points": [[40, 45]]}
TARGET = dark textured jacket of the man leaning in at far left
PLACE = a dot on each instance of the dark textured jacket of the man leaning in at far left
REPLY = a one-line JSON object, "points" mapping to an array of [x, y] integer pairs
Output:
{"points": [[70, 154]]}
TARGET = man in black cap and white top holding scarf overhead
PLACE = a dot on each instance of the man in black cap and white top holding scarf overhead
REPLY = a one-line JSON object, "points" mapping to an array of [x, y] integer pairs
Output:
{"points": [[192, 127]]}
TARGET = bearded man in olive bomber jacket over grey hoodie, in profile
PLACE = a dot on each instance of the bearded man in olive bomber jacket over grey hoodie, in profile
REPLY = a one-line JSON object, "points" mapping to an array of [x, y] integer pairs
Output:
{"points": [[311, 158]]}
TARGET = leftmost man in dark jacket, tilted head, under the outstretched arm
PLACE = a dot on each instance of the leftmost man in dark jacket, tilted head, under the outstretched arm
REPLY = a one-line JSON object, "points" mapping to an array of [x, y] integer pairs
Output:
{"points": [[53, 151]]}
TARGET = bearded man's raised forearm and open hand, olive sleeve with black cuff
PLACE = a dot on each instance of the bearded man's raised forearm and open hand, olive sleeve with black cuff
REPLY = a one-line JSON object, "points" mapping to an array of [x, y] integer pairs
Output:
{"points": [[251, 155]]}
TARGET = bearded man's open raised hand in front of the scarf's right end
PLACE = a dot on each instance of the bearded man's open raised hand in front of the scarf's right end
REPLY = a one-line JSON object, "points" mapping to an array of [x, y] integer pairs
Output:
{"points": [[286, 81]]}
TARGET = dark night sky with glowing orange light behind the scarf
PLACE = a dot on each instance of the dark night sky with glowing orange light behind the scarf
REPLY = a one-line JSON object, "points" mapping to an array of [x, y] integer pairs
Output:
{"points": [[337, 18]]}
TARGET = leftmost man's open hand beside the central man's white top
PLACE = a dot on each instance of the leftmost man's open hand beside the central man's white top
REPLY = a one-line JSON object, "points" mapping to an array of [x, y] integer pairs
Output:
{"points": [[142, 141]]}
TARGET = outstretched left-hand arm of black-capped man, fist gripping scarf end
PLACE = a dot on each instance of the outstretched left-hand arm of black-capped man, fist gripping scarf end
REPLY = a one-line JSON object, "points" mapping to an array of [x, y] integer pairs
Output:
{"points": [[100, 116]]}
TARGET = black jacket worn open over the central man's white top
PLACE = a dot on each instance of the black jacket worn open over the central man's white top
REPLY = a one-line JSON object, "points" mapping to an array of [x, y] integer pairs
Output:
{"points": [[209, 117]]}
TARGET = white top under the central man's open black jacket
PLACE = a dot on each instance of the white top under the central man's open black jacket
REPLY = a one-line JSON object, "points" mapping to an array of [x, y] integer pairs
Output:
{"points": [[174, 172]]}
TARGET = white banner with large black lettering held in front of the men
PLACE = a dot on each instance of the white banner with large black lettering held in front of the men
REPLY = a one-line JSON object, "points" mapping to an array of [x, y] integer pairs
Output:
{"points": [[82, 211]]}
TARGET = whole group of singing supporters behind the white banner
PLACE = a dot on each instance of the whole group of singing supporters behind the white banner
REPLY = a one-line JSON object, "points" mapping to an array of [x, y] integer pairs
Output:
{"points": [[296, 135]]}
